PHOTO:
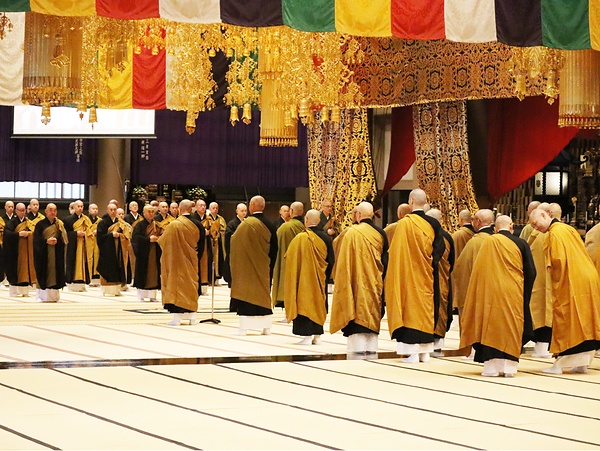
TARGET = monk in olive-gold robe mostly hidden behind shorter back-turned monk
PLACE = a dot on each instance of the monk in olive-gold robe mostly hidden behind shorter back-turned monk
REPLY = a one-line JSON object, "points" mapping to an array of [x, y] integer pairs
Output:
{"points": [[285, 234]]}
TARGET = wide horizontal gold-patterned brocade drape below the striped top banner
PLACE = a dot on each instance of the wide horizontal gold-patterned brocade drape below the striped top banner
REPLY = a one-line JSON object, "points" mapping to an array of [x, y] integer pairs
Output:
{"points": [[397, 72]]}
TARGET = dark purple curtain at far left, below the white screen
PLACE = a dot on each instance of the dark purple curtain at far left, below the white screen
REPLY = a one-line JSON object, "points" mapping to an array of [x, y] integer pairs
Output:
{"points": [[44, 159]]}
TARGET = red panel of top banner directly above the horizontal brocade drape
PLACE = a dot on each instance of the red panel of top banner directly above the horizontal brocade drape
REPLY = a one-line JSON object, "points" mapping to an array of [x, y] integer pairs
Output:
{"points": [[418, 19]]}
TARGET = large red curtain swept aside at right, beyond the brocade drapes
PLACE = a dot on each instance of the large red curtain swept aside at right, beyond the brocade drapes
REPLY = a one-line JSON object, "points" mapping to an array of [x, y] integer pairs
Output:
{"points": [[523, 137]]}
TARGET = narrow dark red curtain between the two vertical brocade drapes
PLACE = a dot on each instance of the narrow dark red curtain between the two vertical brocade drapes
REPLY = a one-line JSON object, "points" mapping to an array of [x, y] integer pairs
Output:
{"points": [[402, 151]]}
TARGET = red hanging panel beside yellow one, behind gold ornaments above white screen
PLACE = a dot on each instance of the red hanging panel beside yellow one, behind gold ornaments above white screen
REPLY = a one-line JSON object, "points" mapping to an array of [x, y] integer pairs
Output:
{"points": [[149, 80]]}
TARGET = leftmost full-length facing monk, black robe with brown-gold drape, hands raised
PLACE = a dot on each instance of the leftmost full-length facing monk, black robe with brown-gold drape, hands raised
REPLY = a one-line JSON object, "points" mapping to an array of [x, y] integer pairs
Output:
{"points": [[18, 253]]}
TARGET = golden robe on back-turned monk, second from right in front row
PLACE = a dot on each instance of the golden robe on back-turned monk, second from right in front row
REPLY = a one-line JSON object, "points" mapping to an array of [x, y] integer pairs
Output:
{"points": [[493, 313]]}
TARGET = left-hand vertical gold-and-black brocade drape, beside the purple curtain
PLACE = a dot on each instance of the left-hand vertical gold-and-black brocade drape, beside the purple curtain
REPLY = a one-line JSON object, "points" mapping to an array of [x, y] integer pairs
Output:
{"points": [[339, 164]]}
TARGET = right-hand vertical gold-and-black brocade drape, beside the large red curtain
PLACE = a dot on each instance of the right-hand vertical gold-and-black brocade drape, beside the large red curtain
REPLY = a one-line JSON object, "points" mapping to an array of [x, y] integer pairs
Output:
{"points": [[442, 158]]}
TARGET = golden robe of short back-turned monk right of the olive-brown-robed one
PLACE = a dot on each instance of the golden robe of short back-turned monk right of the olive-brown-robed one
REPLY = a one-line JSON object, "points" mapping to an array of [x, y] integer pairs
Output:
{"points": [[306, 262]]}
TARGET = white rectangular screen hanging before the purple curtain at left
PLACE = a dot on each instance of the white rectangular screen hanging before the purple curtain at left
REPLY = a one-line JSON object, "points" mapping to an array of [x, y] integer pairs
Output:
{"points": [[65, 122]]}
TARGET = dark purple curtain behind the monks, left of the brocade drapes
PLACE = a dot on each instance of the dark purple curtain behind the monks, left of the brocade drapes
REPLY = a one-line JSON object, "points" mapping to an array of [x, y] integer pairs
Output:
{"points": [[217, 154]]}
